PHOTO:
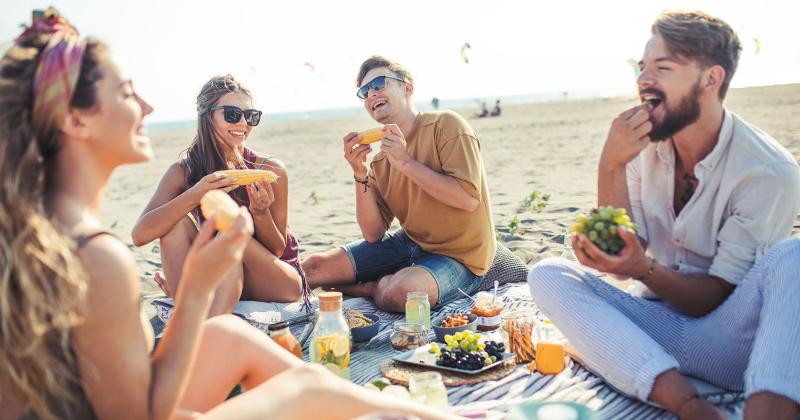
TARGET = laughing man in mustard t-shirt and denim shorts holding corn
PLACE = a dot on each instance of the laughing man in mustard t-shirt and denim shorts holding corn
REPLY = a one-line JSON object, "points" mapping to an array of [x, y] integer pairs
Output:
{"points": [[429, 175]]}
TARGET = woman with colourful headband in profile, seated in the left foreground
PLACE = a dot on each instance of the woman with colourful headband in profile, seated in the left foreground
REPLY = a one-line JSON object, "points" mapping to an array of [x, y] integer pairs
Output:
{"points": [[73, 343]]}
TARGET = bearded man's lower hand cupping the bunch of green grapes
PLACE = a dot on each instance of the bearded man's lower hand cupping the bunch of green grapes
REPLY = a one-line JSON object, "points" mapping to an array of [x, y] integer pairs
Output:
{"points": [[631, 261]]}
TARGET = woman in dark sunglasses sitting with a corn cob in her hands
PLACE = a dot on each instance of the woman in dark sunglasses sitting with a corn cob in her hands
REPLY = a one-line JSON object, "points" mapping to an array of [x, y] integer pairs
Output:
{"points": [[271, 271]]}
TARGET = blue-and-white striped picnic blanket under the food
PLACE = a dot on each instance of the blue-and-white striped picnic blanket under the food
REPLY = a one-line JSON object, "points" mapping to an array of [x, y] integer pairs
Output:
{"points": [[575, 383]]}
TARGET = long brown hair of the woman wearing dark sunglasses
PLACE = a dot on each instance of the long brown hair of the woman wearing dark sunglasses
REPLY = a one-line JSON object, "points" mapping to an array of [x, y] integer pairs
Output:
{"points": [[207, 154]]}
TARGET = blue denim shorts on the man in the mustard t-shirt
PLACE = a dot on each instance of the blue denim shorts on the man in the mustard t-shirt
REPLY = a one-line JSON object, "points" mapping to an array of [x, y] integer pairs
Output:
{"points": [[396, 251]]}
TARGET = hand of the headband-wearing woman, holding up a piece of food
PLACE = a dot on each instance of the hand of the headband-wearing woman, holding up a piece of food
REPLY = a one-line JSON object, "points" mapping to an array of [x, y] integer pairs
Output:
{"points": [[211, 257]]}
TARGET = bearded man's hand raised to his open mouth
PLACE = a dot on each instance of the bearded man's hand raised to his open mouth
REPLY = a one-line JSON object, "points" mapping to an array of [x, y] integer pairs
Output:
{"points": [[627, 137]]}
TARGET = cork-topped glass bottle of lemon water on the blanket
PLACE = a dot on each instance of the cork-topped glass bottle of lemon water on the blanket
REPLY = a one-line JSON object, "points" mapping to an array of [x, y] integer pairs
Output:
{"points": [[330, 340]]}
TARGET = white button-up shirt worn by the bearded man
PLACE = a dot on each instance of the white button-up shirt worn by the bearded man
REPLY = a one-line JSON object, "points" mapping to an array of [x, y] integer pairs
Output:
{"points": [[747, 199]]}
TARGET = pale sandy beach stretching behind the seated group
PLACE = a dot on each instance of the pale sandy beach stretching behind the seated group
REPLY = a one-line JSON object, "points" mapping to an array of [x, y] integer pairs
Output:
{"points": [[549, 147]]}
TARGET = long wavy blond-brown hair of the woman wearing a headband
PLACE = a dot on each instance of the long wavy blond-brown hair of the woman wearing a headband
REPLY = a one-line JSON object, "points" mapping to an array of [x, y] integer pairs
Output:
{"points": [[42, 282]]}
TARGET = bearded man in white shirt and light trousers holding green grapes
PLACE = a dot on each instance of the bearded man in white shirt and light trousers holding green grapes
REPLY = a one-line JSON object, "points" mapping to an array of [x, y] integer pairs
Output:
{"points": [[714, 200]]}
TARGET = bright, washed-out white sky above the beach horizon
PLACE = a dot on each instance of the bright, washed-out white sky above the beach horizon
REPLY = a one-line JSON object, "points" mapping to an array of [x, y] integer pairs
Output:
{"points": [[171, 48]]}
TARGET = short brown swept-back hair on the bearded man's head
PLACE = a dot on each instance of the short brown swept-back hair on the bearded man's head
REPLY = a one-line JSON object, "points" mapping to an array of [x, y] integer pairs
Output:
{"points": [[707, 39]]}
